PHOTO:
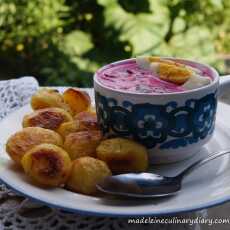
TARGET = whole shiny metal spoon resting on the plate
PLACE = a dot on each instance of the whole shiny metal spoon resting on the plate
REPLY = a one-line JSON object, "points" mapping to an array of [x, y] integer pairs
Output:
{"points": [[147, 185]]}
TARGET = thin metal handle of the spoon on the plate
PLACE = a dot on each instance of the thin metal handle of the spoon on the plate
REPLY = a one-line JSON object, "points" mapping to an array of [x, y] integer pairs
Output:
{"points": [[202, 162]]}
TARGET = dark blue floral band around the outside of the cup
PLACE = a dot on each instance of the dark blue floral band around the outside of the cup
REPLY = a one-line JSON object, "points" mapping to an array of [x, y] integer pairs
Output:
{"points": [[168, 126]]}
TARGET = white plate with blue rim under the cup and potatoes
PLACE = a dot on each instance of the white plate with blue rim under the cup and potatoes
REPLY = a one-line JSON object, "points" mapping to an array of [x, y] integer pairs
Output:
{"points": [[205, 187]]}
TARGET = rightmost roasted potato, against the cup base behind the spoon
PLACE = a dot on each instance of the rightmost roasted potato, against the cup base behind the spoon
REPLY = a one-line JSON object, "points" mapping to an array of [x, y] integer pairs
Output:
{"points": [[123, 155]]}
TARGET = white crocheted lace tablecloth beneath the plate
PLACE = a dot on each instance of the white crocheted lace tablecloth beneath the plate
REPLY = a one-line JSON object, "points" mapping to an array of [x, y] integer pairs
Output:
{"points": [[17, 212]]}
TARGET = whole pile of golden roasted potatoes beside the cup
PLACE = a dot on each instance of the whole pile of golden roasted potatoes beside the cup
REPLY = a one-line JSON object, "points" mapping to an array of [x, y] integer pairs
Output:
{"points": [[61, 144]]}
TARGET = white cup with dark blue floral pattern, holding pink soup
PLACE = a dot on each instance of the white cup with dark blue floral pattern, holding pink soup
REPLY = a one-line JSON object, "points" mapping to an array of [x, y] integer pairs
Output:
{"points": [[173, 126]]}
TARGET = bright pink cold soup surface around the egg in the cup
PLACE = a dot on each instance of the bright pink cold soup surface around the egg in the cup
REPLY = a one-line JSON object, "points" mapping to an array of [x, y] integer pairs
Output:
{"points": [[128, 77]]}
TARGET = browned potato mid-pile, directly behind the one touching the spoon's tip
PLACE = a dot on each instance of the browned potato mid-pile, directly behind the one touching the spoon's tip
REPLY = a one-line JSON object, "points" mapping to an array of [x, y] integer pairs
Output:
{"points": [[82, 143]]}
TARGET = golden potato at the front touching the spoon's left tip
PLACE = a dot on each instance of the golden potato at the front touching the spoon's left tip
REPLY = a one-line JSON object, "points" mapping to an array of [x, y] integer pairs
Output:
{"points": [[86, 173]]}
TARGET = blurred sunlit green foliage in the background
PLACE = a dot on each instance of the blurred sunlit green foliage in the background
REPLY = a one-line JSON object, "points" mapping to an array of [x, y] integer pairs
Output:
{"points": [[63, 42]]}
